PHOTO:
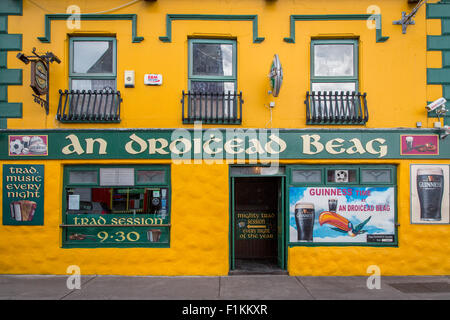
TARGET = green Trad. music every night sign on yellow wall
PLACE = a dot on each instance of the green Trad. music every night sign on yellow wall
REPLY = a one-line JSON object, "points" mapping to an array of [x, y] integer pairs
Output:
{"points": [[23, 194]]}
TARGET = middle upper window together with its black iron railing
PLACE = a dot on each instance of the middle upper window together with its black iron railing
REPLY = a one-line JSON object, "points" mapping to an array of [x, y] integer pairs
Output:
{"points": [[212, 96]]}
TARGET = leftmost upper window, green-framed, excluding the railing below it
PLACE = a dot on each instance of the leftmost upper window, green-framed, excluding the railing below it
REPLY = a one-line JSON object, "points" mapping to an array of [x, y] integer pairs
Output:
{"points": [[92, 63]]}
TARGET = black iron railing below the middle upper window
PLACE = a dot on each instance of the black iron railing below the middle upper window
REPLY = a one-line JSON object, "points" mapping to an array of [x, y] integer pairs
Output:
{"points": [[216, 108]]}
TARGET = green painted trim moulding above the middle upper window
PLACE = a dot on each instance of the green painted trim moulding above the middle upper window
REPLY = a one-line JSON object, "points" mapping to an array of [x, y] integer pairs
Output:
{"points": [[212, 17]]}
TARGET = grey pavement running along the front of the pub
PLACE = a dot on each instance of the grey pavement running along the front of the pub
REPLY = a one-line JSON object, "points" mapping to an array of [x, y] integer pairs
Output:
{"points": [[235, 287]]}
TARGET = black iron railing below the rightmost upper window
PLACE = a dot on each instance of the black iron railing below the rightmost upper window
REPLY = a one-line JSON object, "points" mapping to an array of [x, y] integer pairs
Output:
{"points": [[336, 108]]}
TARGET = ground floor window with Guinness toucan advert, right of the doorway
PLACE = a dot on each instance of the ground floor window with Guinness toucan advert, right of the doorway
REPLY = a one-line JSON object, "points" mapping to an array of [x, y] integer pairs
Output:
{"points": [[342, 205]]}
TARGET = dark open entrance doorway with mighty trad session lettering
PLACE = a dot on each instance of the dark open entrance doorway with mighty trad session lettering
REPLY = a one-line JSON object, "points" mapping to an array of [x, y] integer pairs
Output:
{"points": [[257, 215]]}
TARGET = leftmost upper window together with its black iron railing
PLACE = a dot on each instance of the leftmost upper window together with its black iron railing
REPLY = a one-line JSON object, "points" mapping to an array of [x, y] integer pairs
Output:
{"points": [[92, 81]]}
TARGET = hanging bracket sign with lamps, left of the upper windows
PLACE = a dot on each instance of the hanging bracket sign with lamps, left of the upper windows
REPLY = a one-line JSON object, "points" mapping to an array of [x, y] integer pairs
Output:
{"points": [[40, 75]]}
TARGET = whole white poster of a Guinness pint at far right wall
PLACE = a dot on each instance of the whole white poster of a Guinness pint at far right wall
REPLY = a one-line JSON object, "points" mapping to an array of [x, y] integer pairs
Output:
{"points": [[429, 194]]}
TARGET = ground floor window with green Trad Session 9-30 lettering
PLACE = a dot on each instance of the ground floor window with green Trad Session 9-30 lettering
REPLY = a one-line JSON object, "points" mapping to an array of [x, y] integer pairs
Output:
{"points": [[116, 206]]}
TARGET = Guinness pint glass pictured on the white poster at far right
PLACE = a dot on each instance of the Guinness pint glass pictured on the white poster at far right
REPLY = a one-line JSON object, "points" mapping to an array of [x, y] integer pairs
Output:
{"points": [[430, 189]]}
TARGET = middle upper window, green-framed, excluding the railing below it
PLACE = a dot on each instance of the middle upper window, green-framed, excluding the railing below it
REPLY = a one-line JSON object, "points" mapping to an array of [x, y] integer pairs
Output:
{"points": [[212, 66]]}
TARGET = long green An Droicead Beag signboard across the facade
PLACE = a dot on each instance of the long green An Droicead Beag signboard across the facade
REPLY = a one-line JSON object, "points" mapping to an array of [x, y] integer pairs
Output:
{"points": [[214, 144]]}
